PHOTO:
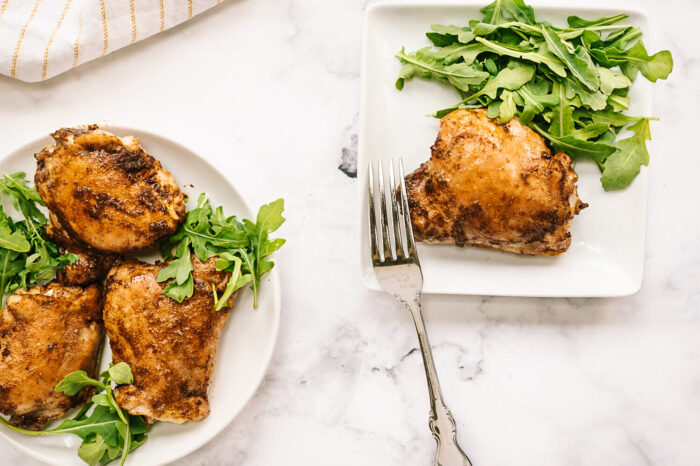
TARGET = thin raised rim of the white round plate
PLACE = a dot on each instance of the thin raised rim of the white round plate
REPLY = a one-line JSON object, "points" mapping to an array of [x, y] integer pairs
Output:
{"points": [[274, 283]]}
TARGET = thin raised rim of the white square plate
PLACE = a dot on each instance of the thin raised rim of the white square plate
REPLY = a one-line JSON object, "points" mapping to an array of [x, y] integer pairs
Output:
{"points": [[366, 275]]}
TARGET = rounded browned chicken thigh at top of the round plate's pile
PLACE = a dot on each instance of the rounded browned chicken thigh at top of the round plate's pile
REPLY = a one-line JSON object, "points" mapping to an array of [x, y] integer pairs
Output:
{"points": [[107, 191]]}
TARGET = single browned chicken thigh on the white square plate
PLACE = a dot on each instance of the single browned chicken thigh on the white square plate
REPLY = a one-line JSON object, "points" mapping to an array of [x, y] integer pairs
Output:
{"points": [[493, 186]]}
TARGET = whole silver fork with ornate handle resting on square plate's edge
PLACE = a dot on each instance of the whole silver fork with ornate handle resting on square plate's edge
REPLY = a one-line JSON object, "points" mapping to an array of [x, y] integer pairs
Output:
{"points": [[398, 271]]}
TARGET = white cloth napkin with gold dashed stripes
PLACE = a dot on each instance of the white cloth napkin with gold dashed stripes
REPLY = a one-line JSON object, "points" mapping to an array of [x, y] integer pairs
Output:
{"points": [[42, 38]]}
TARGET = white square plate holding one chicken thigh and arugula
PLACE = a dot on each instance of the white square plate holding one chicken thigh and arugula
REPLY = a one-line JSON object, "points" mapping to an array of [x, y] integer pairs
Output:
{"points": [[606, 257]]}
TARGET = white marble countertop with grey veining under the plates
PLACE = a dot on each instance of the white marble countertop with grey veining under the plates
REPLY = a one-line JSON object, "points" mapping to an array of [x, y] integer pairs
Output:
{"points": [[530, 381]]}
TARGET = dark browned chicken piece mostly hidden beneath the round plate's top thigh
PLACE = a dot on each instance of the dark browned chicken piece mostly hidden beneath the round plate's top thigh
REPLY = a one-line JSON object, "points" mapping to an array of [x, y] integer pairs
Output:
{"points": [[92, 265]]}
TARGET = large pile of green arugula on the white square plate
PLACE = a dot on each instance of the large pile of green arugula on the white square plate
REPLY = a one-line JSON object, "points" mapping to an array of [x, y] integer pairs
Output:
{"points": [[569, 84]]}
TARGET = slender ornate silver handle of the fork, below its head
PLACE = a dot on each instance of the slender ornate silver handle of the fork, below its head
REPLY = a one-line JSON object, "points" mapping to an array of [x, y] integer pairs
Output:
{"points": [[442, 424]]}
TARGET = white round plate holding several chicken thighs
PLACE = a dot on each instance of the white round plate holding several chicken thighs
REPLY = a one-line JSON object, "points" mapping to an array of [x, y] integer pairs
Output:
{"points": [[246, 344]]}
